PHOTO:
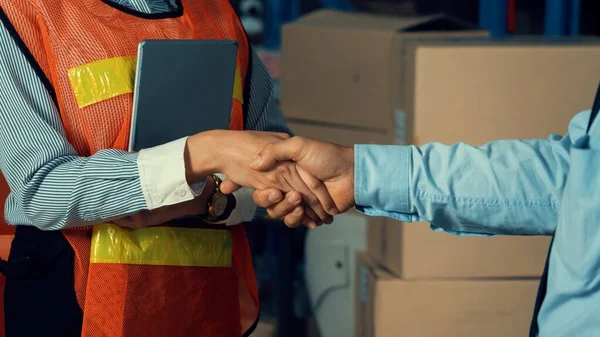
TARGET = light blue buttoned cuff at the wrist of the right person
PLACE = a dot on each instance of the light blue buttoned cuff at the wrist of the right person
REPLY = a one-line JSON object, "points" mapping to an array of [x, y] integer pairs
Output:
{"points": [[382, 177]]}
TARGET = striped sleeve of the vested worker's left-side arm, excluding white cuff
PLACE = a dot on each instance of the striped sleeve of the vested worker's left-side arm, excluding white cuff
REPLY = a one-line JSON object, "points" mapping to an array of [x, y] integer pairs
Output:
{"points": [[51, 186]]}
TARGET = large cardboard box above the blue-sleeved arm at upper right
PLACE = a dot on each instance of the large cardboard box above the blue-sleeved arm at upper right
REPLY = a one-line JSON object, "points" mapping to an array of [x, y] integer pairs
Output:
{"points": [[481, 90]]}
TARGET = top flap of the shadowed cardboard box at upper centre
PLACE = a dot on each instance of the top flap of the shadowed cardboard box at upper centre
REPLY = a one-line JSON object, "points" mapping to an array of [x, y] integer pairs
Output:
{"points": [[347, 20]]}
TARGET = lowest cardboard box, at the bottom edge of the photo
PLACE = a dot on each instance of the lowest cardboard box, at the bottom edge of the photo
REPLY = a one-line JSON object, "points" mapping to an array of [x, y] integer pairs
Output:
{"points": [[392, 307]]}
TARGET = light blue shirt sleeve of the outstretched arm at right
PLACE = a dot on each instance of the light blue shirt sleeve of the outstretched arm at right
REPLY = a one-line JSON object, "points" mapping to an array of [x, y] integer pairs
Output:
{"points": [[509, 187]]}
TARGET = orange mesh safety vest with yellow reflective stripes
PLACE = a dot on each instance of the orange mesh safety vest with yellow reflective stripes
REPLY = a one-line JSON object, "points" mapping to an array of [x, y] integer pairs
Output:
{"points": [[160, 281]]}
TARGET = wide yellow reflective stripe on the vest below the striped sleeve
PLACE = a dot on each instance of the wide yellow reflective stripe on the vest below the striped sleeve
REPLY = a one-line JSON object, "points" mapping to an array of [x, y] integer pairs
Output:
{"points": [[165, 246]]}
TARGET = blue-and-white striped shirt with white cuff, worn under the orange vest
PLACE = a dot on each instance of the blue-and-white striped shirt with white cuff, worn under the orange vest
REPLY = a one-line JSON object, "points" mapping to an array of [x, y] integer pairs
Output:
{"points": [[53, 188]]}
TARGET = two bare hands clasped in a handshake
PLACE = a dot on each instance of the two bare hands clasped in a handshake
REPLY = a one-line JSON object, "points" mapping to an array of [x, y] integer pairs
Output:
{"points": [[299, 180]]}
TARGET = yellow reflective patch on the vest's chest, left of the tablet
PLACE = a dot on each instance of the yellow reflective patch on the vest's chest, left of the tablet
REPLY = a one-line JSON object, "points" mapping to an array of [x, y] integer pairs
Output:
{"points": [[104, 79]]}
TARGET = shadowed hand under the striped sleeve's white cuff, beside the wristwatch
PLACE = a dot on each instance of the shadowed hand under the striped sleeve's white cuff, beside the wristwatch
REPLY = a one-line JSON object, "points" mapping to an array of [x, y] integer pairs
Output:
{"points": [[165, 214]]}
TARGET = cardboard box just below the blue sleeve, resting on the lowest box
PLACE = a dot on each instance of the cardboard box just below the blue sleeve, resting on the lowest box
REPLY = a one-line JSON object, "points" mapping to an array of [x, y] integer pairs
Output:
{"points": [[414, 251]]}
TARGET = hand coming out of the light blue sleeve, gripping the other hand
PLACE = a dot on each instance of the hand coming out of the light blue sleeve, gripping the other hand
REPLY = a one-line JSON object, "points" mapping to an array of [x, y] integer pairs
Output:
{"points": [[332, 166]]}
